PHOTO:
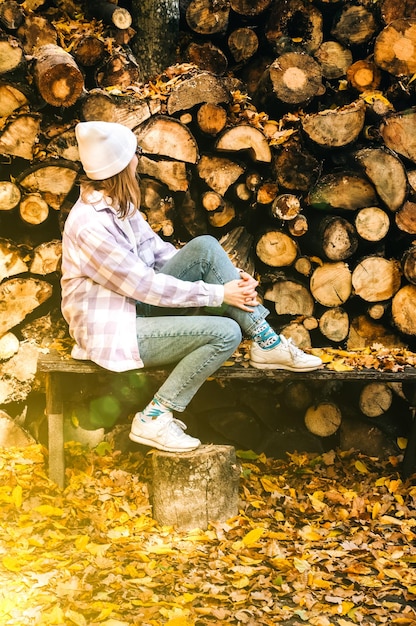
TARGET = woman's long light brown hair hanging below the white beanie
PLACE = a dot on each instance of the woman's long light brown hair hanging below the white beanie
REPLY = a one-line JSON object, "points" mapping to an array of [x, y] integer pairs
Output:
{"points": [[123, 189]]}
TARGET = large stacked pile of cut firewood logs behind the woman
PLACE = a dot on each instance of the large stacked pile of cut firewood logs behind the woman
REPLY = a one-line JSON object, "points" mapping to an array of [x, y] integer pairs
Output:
{"points": [[285, 130]]}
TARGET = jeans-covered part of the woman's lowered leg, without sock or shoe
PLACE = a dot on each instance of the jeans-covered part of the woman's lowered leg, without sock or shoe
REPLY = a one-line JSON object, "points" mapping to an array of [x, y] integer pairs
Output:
{"points": [[198, 345]]}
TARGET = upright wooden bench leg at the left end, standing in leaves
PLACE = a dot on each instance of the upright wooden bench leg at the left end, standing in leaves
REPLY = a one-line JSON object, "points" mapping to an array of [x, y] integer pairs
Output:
{"points": [[54, 411]]}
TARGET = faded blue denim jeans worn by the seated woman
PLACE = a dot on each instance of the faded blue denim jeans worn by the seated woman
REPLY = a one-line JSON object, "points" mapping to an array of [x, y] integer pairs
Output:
{"points": [[196, 342]]}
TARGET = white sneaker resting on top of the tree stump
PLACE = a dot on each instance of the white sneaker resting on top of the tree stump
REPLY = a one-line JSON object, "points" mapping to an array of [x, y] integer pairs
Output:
{"points": [[164, 433]]}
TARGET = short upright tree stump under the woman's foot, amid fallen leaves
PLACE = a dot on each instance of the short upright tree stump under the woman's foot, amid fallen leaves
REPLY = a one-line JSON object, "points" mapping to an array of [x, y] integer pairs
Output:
{"points": [[193, 488]]}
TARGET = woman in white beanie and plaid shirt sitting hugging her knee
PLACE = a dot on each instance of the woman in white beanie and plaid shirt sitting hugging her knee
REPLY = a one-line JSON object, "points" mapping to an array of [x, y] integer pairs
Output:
{"points": [[127, 295]]}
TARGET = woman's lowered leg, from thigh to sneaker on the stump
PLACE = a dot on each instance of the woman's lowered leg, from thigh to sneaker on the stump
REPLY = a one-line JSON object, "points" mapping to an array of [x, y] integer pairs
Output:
{"points": [[198, 345]]}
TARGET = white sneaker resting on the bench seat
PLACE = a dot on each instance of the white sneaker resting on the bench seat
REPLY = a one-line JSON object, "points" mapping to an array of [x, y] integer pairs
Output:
{"points": [[284, 356]]}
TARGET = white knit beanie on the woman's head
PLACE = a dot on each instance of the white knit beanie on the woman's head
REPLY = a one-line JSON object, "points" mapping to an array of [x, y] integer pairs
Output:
{"points": [[105, 148]]}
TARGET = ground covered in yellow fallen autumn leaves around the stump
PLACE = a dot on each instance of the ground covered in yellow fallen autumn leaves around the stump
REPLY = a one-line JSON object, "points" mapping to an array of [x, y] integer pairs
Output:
{"points": [[320, 540]]}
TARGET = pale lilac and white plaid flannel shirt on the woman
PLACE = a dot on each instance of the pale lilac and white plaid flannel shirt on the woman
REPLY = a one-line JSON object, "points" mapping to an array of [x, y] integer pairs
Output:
{"points": [[109, 264]]}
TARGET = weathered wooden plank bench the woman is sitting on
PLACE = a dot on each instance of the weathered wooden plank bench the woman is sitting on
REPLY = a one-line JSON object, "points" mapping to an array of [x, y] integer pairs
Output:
{"points": [[56, 366]]}
